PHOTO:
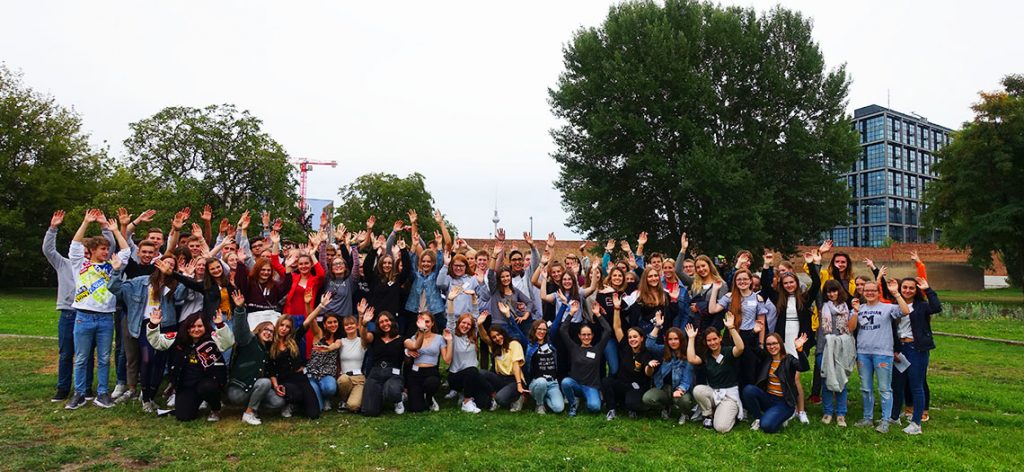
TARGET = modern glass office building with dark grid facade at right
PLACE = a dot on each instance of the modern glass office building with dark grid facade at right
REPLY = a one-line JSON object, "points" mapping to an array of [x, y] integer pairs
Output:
{"points": [[889, 178]]}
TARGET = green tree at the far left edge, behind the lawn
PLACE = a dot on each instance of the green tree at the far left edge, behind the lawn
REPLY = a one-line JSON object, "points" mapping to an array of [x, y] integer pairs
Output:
{"points": [[47, 163]]}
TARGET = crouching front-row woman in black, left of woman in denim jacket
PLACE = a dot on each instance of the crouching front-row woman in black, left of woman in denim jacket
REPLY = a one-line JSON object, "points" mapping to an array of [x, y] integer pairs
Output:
{"points": [[636, 365]]}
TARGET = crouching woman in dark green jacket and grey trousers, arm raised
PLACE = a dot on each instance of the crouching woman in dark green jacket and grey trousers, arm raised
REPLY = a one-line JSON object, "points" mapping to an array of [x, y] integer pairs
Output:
{"points": [[248, 384]]}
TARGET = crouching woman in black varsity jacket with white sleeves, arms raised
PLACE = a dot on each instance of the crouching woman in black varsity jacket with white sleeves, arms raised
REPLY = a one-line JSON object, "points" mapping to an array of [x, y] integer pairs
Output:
{"points": [[197, 360]]}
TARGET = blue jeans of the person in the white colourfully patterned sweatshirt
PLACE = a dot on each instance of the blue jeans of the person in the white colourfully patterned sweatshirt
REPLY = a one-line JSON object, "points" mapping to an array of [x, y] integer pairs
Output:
{"points": [[93, 329]]}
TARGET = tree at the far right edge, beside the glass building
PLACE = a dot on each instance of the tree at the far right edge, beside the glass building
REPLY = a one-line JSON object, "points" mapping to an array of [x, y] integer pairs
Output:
{"points": [[978, 201]]}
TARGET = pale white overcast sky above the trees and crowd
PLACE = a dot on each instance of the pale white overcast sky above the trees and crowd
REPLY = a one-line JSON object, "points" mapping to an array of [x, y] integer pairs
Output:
{"points": [[453, 91]]}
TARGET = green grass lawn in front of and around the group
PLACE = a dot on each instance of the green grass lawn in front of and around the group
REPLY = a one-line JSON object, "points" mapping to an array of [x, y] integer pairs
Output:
{"points": [[977, 423]]}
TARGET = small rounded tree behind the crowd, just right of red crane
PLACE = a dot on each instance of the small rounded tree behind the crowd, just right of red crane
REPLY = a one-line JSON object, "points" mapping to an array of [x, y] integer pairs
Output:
{"points": [[389, 198]]}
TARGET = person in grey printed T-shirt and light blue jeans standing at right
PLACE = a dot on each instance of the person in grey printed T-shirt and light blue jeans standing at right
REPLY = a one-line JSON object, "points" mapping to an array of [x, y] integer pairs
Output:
{"points": [[875, 325]]}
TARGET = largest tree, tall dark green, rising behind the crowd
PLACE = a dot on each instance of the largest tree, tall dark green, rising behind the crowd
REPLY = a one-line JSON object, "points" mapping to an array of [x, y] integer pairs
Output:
{"points": [[692, 118]]}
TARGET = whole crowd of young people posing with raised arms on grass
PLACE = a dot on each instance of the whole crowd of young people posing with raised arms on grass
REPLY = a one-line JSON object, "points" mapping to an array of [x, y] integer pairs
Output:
{"points": [[365, 323]]}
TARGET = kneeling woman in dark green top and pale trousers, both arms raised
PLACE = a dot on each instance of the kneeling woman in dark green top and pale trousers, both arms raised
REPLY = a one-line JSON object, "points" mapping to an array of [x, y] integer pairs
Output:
{"points": [[719, 400]]}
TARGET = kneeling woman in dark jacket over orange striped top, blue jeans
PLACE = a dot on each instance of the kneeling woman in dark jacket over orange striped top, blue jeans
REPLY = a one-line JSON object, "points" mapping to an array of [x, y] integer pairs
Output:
{"points": [[773, 399]]}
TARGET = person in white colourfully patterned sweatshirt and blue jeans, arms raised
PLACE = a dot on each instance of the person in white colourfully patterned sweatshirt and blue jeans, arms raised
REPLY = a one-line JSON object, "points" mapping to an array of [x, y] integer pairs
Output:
{"points": [[95, 306]]}
